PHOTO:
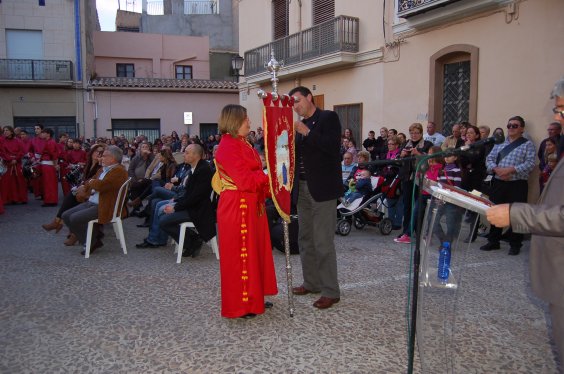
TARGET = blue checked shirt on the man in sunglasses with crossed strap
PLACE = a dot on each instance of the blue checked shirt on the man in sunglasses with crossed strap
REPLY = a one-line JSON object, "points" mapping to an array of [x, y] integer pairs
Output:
{"points": [[521, 158]]}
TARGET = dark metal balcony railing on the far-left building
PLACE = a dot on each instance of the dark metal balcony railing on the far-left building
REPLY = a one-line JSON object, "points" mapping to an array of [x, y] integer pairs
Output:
{"points": [[52, 70]]}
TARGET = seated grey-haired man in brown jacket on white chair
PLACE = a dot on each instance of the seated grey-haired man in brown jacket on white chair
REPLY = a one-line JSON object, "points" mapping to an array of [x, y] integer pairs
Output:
{"points": [[103, 189]]}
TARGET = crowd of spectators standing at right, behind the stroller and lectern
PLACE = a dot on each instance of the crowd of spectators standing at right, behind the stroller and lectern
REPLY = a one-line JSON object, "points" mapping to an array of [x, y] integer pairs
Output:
{"points": [[501, 171]]}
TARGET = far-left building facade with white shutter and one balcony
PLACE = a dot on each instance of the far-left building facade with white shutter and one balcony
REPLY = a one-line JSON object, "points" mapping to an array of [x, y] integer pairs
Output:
{"points": [[43, 48]]}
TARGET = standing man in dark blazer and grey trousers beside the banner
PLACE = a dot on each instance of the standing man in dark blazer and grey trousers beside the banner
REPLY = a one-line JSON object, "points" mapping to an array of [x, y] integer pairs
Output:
{"points": [[318, 185]]}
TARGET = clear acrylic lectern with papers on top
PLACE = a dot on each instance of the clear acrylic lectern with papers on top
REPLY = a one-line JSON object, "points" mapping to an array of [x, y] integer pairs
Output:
{"points": [[450, 215]]}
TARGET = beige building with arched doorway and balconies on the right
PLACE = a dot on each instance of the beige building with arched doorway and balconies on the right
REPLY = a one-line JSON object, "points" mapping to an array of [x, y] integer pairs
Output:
{"points": [[394, 62]]}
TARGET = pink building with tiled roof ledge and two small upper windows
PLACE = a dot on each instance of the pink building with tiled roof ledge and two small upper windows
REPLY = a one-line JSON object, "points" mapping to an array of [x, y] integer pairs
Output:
{"points": [[153, 84]]}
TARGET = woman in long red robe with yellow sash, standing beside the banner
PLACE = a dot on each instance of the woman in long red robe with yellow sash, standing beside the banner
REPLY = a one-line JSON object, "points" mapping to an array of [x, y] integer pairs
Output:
{"points": [[246, 264]]}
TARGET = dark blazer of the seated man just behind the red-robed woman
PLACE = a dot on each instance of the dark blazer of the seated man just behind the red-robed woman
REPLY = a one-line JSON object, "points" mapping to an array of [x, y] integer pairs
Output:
{"points": [[195, 199]]}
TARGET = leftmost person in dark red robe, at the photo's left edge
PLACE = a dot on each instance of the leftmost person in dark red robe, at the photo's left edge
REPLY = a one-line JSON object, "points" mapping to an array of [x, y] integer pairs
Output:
{"points": [[13, 183]]}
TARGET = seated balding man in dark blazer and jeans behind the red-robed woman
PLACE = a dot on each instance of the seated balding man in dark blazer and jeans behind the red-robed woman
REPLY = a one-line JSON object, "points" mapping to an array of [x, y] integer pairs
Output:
{"points": [[192, 204]]}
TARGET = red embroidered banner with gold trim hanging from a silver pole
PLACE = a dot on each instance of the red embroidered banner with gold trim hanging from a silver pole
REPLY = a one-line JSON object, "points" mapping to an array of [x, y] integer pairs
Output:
{"points": [[279, 150]]}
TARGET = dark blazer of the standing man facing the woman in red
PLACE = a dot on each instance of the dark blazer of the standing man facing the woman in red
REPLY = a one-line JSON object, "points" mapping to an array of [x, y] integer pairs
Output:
{"points": [[320, 151]]}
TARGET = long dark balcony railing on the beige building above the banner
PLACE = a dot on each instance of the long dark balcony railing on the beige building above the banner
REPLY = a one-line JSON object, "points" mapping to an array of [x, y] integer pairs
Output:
{"points": [[337, 35]]}
